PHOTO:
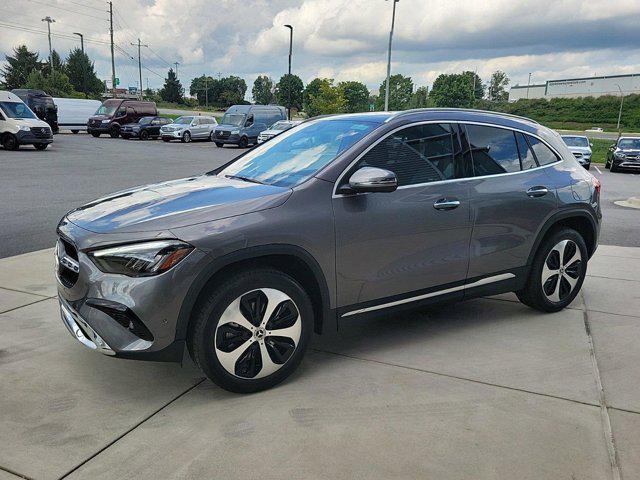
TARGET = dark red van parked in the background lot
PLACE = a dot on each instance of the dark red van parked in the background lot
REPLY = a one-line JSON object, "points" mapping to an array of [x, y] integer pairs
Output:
{"points": [[115, 112]]}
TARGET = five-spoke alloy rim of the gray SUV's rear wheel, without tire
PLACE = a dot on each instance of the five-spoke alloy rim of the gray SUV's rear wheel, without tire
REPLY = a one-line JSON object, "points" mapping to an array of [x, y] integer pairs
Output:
{"points": [[561, 271]]}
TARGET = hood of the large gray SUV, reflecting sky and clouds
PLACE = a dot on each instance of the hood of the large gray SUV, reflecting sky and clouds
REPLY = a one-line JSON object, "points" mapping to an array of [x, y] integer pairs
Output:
{"points": [[177, 203]]}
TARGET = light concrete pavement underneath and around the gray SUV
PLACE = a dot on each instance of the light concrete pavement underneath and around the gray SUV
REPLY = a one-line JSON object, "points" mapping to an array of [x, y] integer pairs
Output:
{"points": [[484, 389]]}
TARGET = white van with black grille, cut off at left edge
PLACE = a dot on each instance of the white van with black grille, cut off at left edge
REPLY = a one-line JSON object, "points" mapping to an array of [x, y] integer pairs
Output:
{"points": [[20, 126]]}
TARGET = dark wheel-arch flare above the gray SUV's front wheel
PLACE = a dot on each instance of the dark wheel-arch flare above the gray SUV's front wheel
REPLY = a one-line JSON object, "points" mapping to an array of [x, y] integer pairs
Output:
{"points": [[217, 264]]}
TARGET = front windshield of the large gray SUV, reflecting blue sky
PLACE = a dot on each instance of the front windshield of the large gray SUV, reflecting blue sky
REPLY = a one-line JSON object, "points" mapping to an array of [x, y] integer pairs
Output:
{"points": [[297, 154]]}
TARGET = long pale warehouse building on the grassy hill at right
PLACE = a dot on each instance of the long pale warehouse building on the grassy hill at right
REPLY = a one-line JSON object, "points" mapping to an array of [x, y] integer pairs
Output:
{"points": [[579, 87]]}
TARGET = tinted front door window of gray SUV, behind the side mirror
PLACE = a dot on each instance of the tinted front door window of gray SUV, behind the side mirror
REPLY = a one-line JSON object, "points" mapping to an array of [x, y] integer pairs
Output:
{"points": [[420, 154]]}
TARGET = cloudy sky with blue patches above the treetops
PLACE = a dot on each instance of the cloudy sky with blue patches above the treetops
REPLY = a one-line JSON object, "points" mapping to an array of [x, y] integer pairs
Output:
{"points": [[341, 39]]}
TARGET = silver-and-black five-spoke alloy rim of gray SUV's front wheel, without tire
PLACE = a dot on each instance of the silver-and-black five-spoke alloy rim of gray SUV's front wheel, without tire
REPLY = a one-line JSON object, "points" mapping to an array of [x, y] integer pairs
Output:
{"points": [[258, 333]]}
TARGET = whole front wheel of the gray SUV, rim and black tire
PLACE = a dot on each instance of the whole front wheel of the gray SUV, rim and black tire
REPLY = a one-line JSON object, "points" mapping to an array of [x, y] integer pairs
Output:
{"points": [[253, 331]]}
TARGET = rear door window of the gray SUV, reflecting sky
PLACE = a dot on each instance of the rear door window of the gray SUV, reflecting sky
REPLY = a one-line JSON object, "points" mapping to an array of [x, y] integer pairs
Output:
{"points": [[494, 150]]}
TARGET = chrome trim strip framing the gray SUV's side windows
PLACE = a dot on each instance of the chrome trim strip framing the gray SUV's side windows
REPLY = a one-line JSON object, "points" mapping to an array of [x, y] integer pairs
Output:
{"points": [[466, 179]]}
